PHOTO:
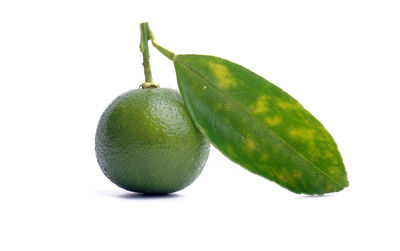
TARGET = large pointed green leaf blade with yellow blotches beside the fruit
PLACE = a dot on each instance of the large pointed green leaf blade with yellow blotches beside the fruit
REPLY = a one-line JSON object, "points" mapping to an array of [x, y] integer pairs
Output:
{"points": [[259, 126]]}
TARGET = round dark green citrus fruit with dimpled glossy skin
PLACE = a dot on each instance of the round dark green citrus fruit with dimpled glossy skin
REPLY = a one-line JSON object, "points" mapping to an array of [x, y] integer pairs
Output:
{"points": [[147, 143]]}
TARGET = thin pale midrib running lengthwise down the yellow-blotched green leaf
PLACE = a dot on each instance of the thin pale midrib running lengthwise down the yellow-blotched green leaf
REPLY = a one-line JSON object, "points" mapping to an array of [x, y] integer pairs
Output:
{"points": [[257, 120]]}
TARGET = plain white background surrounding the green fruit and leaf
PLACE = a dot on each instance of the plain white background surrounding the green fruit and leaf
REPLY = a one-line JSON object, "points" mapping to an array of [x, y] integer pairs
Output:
{"points": [[63, 62]]}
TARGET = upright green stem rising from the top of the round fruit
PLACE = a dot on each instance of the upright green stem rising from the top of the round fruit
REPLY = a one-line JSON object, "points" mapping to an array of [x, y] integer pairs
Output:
{"points": [[144, 48]]}
